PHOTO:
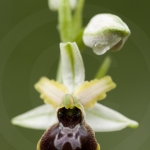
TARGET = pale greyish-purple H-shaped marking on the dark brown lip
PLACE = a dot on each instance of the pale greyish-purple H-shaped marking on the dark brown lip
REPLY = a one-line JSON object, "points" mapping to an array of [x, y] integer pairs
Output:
{"points": [[65, 131]]}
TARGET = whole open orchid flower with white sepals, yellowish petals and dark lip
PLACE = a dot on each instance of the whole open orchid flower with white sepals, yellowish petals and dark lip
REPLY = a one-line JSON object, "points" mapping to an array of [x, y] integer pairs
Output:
{"points": [[71, 112]]}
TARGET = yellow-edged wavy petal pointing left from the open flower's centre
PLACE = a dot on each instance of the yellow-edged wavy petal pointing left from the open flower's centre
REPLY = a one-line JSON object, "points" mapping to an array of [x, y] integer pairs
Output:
{"points": [[51, 91]]}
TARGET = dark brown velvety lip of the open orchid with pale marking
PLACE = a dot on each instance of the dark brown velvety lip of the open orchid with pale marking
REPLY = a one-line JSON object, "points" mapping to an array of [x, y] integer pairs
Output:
{"points": [[71, 133]]}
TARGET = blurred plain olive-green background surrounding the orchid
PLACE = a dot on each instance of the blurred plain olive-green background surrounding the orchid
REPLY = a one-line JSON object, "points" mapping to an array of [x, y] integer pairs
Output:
{"points": [[29, 49]]}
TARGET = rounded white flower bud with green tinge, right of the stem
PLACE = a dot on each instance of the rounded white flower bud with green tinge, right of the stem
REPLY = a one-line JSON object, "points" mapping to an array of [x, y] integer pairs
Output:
{"points": [[105, 32]]}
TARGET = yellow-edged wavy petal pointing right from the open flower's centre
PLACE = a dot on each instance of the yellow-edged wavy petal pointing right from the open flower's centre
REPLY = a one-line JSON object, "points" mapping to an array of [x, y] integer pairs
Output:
{"points": [[89, 92]]}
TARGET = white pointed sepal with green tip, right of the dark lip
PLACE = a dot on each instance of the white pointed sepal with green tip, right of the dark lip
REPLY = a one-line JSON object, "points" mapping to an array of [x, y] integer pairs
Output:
{"points": [[103, 119]]}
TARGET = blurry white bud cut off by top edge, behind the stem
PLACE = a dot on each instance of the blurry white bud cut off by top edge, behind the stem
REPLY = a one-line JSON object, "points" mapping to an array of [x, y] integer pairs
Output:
{"points": [[54, 4]]}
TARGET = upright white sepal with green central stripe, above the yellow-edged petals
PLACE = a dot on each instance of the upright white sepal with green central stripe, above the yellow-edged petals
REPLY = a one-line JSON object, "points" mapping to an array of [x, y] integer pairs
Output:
{"points": [[73, 72]]}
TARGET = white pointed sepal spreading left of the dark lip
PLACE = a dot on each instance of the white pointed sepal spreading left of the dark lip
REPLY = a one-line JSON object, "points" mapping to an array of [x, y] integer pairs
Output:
{"points": [[41, 117]]}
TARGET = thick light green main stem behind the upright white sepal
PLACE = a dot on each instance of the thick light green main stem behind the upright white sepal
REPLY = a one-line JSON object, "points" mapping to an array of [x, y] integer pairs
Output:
{"points": [[69, 28]]}
